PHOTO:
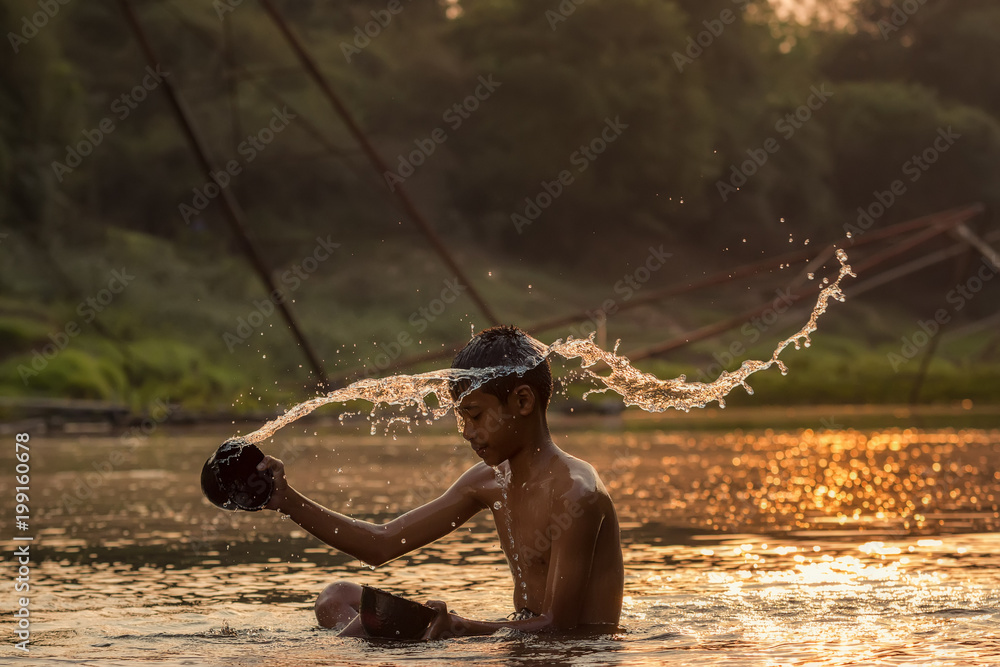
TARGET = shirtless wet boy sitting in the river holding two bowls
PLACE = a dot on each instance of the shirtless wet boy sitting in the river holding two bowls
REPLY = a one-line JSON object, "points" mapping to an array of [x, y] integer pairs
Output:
{"points": [[563, 546]]}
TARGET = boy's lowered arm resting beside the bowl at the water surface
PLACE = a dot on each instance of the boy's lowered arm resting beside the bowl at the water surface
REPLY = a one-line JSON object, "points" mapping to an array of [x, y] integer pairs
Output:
{"points": [[570, 561]]}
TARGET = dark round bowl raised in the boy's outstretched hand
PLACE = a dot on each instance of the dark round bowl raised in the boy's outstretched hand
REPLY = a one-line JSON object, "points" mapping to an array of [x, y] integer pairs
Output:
{"points": [[231, 481]]}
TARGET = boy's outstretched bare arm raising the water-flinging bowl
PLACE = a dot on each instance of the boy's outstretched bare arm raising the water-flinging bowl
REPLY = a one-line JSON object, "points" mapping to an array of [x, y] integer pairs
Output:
{"points": [[371, 543]]}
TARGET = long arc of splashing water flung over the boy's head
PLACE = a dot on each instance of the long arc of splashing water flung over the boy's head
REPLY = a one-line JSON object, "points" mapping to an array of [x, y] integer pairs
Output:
{"points": [[634, 386]]}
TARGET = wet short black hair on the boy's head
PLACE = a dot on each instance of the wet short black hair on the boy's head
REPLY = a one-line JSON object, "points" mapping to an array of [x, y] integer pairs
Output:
{"points": [[506, 346]]}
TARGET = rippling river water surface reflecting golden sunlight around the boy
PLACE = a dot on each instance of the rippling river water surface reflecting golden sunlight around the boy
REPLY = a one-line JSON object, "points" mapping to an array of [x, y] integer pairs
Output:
{"points": [[773, 548]]}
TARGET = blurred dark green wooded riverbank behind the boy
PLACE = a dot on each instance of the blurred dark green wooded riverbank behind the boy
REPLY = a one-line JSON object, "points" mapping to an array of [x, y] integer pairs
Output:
{"points": [[671, 173]]}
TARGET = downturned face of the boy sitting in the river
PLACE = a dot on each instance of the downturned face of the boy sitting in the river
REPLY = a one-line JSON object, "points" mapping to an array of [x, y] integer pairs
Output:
{"points": [[490, 426]]}
